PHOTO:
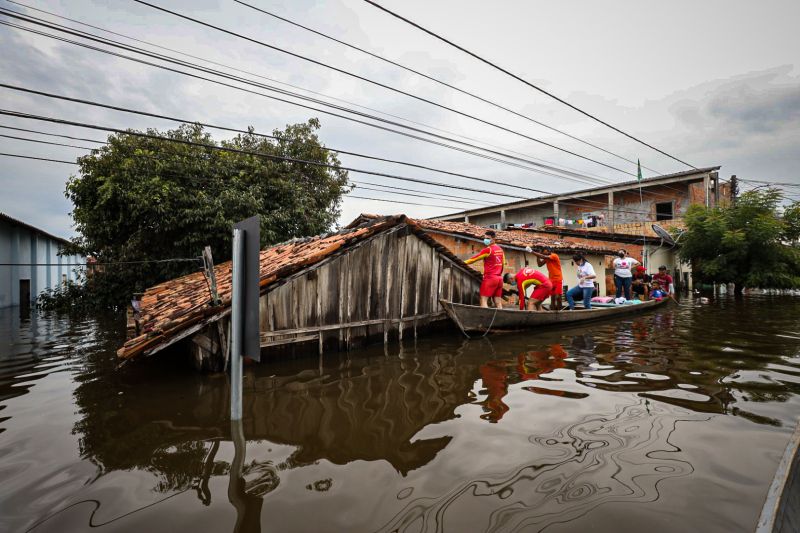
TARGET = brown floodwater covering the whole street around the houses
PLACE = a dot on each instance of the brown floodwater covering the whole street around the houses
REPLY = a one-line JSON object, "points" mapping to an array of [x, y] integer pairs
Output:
{"points": [[669, 422]]}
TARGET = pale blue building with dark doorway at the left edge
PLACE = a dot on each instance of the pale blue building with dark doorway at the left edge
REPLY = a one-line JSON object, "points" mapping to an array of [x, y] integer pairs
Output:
{"points": [[34, 263]]}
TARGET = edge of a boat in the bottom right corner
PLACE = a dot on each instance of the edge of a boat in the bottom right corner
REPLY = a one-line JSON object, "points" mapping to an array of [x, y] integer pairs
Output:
{"points": [[781, 512]]}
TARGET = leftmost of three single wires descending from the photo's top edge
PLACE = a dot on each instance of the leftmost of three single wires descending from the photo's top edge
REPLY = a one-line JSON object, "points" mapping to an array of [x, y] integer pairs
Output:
{"points": [[377, 83]]}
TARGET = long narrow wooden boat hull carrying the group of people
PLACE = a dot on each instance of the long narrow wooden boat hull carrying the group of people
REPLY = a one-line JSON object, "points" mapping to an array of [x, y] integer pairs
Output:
{"points": [[482, 319]]}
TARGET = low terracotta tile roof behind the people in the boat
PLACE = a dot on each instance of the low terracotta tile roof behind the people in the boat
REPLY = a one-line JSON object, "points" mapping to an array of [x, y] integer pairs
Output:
{"points": [[514, 237]]}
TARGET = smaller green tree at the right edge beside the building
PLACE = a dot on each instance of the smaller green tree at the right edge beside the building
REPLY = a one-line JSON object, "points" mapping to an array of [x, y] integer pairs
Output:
{"points": [[750, 244]]}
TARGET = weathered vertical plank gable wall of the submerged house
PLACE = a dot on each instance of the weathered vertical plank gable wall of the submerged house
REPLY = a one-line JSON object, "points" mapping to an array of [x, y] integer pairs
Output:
{"points": [[386, 288]]}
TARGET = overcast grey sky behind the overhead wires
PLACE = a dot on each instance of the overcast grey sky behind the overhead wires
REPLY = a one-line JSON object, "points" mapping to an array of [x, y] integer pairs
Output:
{"points": [[712, 83]]}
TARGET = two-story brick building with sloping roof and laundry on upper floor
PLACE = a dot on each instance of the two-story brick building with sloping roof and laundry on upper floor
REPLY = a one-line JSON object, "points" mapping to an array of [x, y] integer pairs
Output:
{"points": [[620, 215]]}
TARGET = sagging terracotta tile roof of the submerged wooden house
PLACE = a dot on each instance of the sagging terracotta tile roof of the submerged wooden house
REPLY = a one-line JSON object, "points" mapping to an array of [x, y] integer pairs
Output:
{"points": [[174, 306]]}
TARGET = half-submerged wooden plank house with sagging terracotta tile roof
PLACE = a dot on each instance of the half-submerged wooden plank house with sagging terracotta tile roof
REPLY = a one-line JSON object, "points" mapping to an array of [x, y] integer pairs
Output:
{"points": [[379, 279]]}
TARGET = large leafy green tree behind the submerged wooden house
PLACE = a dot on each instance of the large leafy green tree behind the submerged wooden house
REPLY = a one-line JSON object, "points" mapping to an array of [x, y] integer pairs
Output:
{"points": [[145, 199]]}
